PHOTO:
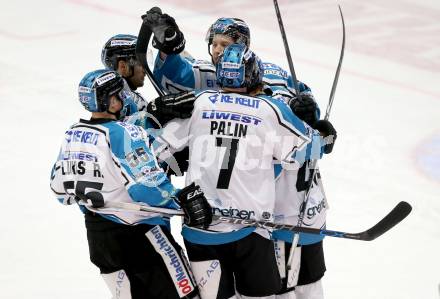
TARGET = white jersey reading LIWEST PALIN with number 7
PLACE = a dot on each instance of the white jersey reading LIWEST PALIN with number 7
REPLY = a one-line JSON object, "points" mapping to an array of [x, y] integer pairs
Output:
{"points": [[233, 140]]}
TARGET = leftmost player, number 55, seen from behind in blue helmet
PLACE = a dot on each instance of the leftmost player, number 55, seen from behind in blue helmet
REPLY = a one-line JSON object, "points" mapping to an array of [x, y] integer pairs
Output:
{"points": [[103, 162]]}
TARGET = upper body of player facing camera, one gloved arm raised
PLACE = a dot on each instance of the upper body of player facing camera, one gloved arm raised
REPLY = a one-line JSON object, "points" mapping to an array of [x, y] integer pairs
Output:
{"points": [[200, 74]]}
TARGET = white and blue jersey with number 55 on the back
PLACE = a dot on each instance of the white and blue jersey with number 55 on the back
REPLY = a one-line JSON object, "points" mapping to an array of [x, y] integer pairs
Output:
{"points": [[104, 161]]}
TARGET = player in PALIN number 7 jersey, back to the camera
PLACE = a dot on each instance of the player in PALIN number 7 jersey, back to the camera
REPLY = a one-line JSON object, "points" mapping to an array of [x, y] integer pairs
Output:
{"points": [[233, 136]]}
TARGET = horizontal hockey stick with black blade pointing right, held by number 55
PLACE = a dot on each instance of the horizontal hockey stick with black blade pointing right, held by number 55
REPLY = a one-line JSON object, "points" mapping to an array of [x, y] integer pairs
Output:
{"points": [[400, 211]]}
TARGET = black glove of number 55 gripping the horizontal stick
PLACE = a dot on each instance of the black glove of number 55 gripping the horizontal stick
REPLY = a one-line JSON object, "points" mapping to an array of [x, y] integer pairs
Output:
{"points": [[198, 212]]}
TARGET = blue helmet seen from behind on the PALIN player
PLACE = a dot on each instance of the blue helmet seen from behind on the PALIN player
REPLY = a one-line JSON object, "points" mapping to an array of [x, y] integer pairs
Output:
{"points": [[239, 67]]}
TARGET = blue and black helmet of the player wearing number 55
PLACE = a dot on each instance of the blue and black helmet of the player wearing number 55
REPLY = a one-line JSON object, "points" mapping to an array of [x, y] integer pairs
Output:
{"points": [[96, 88]]}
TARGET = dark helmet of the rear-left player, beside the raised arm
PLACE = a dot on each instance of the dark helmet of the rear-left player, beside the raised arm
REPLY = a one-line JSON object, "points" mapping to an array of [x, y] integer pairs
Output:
{"points": [[120, 46]]}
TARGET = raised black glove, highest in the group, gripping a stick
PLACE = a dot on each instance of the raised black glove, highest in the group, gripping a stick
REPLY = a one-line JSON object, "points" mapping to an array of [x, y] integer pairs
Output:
{"points": [[167, 36]]}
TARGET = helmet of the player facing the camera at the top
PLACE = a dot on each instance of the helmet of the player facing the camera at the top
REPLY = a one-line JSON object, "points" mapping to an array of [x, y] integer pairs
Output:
{"points": [[233, 27]]}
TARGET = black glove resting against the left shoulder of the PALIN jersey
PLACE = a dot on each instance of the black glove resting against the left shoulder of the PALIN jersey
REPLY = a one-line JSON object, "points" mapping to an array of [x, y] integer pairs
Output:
{"points": [[172, 106]]}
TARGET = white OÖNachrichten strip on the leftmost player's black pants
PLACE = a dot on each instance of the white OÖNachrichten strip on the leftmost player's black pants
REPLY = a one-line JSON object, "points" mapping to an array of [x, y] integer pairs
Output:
{"points": [[173, 262]]}
